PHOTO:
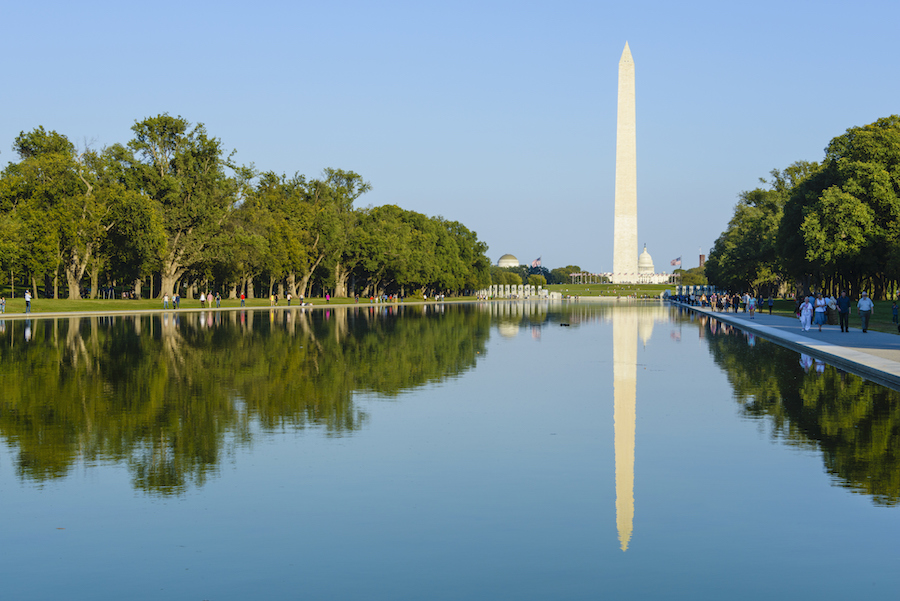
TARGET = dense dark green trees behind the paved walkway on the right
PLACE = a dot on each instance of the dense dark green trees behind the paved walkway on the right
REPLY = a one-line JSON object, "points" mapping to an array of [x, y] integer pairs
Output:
{"points": [[820, 226]]}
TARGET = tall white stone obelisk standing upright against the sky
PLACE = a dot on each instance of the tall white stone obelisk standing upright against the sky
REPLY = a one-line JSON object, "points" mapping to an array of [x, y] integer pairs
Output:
{"points": [[625, 246]]}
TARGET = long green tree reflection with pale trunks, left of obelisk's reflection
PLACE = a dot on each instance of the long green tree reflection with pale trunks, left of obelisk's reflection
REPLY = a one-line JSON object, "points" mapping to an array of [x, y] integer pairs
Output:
{"points": [[170, 395]]}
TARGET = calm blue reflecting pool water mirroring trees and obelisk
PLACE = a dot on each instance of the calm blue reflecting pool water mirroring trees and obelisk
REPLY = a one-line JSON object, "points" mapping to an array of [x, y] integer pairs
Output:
{"points": [[521, 451]]}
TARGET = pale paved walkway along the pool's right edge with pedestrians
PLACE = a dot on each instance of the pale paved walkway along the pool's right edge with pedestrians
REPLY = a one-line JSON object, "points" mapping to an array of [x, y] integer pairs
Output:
{"points": [[874, 355]]}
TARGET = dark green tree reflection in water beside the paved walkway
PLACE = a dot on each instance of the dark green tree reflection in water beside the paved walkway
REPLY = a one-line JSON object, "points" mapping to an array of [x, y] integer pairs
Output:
{"points": [[853, 422]]}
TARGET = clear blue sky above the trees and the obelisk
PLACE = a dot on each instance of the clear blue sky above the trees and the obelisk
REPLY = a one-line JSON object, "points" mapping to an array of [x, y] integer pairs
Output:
{"points": [[500, 115]]}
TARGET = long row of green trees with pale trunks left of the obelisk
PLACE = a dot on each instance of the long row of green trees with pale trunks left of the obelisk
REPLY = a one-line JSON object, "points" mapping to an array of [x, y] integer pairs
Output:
{"points": [[170, 209]]}
